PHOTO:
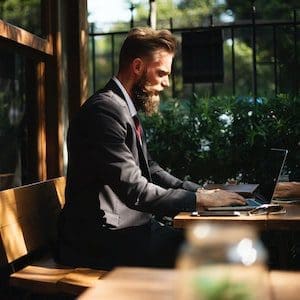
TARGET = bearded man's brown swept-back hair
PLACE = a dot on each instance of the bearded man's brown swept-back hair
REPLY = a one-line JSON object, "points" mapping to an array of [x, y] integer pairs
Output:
{"points": [[143, 42]]}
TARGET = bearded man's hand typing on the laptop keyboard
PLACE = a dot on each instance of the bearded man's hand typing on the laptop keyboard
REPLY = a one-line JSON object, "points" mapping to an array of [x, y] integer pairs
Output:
{"points": [[217, 197]]}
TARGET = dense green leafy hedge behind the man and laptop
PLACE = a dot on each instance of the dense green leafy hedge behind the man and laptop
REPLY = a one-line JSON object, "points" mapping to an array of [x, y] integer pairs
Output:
{"points": [[214, 139]]}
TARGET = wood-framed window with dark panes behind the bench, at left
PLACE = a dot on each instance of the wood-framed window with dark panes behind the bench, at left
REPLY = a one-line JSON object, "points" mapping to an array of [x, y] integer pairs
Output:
{"points": [[24, 75]]}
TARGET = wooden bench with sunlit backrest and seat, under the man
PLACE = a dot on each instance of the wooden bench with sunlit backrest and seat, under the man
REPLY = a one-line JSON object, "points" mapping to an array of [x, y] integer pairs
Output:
{"points": [[28, 226]]}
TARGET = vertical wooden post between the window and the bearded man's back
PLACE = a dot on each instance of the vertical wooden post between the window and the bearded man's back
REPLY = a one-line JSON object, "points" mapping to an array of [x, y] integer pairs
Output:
{"points": [[54, 91]]}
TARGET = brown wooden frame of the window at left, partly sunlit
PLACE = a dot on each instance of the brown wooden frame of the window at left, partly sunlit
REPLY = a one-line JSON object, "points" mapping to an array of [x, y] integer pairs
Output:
{"points": [[43, 54]]}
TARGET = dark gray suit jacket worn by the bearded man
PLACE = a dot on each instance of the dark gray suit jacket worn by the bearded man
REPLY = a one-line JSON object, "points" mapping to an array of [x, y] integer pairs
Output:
{"points": [[111, 179]]}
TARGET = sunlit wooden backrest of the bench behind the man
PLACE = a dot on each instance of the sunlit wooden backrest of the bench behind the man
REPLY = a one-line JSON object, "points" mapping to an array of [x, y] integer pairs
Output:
{"points": [[28, 218]]}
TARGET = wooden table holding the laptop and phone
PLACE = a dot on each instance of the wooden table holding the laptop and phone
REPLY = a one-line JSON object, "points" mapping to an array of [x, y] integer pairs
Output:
{"points": [[291, 219]]}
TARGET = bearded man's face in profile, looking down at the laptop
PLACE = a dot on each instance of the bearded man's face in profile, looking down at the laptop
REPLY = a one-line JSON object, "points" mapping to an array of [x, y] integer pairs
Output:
{"points": [[153, 80]]}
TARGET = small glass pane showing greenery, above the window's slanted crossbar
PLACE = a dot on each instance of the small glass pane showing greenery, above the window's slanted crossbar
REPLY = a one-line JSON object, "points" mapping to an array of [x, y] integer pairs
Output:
{"points": [[23, 13]]}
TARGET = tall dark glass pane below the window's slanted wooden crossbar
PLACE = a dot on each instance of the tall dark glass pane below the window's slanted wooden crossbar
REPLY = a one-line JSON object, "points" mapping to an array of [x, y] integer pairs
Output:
{"points": [[12, 112]]}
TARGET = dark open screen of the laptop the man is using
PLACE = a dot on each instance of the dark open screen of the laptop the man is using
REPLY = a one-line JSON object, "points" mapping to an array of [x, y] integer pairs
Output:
{"points": [[270, 171]]}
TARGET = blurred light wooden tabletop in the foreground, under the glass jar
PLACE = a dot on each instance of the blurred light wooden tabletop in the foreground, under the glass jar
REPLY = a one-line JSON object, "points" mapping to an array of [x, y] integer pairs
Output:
{"points": [[160, 284]]}
